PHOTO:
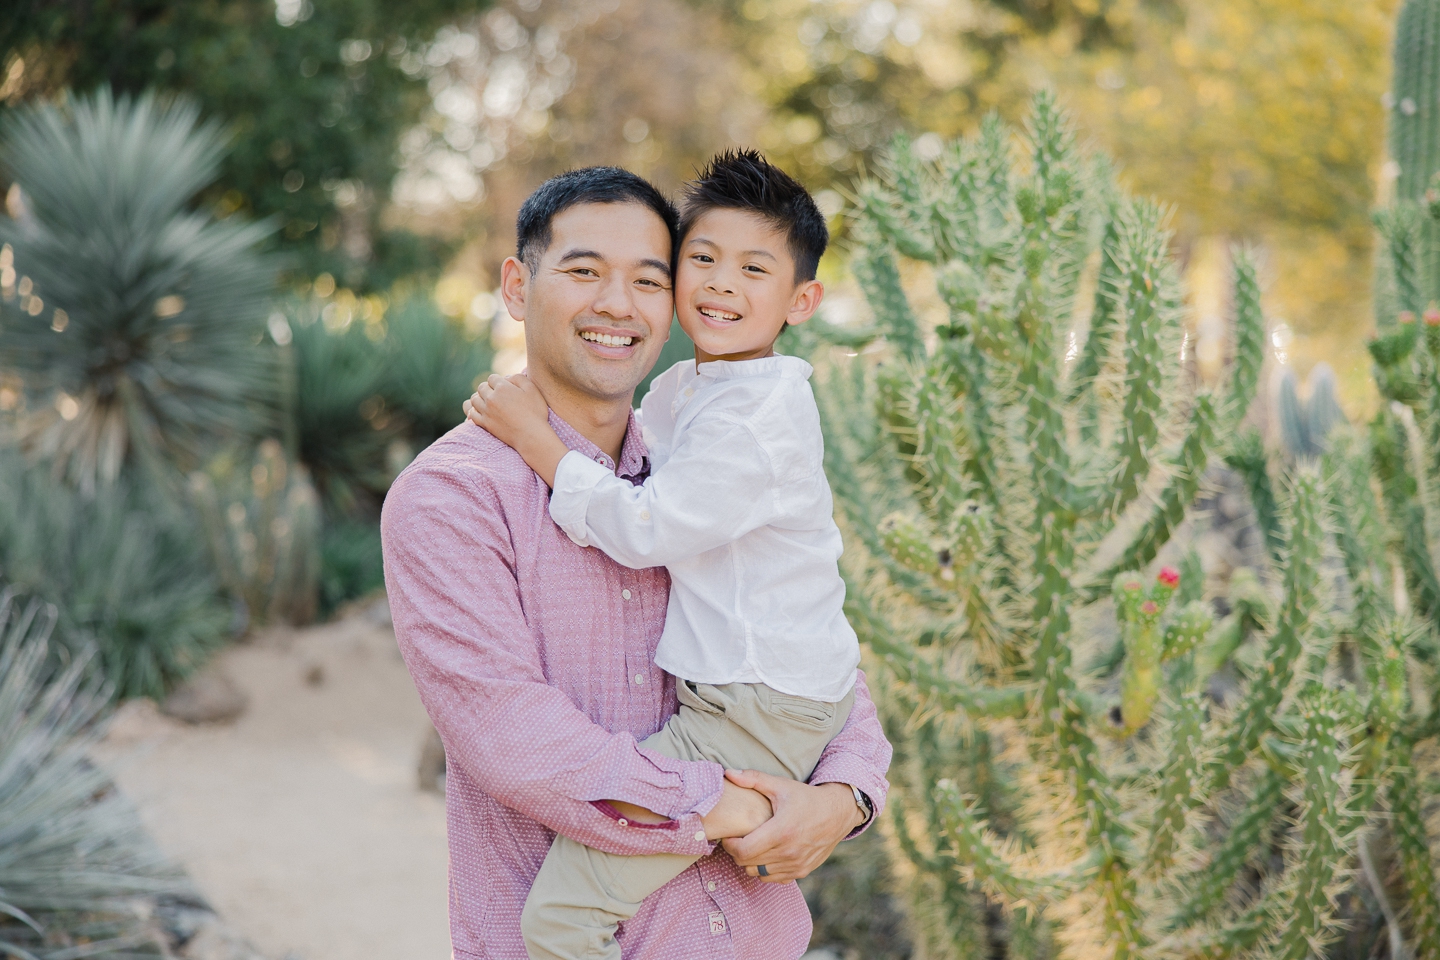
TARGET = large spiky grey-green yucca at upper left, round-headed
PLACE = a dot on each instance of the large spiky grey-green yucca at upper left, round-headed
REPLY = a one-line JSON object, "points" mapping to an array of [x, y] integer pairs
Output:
{"points": [[130, 319]]}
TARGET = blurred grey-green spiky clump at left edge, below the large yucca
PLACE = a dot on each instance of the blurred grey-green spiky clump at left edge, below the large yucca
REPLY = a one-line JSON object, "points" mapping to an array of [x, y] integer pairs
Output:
{"points": [[126, 569]]}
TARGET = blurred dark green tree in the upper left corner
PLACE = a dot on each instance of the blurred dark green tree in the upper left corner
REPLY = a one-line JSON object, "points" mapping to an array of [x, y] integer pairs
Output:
{"points": [[318, 96]]}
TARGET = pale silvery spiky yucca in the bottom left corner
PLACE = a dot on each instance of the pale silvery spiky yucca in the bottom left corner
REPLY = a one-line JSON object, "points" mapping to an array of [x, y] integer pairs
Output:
{"points": [[74, 860]]}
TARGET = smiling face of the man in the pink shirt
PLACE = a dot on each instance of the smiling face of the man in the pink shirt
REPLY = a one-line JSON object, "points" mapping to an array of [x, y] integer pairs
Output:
{"points": [[598, 306]]}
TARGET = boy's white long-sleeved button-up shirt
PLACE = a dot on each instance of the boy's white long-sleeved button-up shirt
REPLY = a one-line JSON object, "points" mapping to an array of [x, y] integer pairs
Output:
{"points": [[739, 510]]}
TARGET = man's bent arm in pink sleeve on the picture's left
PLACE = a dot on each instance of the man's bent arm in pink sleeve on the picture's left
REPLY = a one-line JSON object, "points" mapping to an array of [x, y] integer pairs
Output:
{"points": [[459, 621]]}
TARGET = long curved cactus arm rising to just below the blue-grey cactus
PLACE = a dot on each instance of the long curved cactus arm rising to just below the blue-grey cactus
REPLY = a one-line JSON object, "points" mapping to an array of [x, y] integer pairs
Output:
{"points": [[1256, 716]]}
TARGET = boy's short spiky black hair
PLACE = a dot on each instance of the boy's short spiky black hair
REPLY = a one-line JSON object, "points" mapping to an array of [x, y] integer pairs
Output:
{"points": [[747, 181]]}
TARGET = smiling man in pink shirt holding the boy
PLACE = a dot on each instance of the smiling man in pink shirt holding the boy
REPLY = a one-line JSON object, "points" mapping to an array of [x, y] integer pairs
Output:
{"points": [[535, 656]]}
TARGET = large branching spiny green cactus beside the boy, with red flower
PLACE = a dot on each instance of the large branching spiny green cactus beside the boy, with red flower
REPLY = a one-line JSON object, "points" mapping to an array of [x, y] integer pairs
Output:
{"points": [[1010, 467]]}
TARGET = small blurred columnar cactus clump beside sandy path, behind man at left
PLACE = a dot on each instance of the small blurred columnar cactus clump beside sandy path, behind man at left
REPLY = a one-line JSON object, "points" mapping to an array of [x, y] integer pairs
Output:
{"points": [[263, 526]]}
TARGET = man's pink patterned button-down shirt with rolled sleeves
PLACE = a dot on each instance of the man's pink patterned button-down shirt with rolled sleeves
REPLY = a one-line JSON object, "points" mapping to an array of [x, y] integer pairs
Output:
{"points": [[535, 660]]}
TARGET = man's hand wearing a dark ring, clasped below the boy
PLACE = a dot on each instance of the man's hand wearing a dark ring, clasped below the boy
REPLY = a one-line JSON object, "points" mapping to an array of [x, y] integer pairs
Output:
{"points": [[807, 827]]}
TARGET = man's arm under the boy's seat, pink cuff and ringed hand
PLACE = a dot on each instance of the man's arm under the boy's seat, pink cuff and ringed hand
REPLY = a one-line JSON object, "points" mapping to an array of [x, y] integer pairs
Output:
{"points": [[813, 820]]}
